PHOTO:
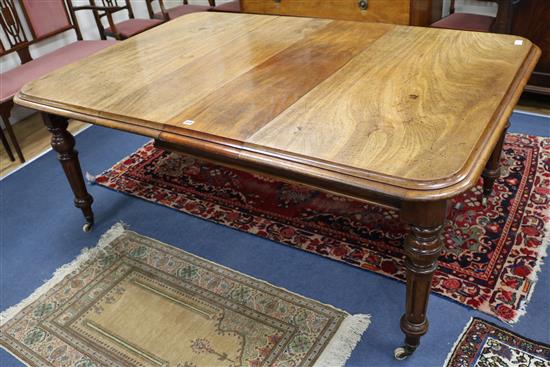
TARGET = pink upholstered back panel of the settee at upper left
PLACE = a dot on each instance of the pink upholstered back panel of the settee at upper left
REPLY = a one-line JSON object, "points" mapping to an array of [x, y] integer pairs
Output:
{"points": [[48, 18]]}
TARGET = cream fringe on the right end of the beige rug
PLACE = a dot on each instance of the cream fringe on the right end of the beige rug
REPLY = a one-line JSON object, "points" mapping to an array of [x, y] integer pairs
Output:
{"points": [[344, 341]]}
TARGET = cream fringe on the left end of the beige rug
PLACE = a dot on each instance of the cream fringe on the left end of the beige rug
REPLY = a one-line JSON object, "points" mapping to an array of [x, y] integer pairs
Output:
{"points": [[85, 255]]}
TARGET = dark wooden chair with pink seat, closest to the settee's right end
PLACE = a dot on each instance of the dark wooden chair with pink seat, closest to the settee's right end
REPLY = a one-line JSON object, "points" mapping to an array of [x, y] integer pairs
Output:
{"points": [[121, 30]]}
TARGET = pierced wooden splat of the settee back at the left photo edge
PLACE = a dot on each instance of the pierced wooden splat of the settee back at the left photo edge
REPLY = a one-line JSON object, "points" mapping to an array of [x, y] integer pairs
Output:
{"points": [[13, 32]]}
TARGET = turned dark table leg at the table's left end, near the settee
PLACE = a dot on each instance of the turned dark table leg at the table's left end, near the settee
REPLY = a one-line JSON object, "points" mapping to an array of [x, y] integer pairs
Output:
{"points": [[63, 143]]}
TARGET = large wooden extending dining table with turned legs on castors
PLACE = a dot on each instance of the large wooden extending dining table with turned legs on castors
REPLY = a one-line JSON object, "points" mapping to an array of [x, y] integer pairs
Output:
{"points": [[399, 116]]}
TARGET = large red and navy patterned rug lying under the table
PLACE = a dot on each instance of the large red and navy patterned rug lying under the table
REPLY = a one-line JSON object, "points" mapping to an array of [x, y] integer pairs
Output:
{"points": [[491, 254]]}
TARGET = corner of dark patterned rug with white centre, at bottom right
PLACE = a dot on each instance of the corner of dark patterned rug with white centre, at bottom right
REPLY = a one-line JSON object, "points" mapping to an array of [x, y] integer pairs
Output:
{"points": [[483, 344]]}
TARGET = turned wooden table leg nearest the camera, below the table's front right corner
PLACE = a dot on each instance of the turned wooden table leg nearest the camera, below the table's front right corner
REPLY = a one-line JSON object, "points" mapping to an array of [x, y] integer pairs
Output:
{"points": [[422, 248]]}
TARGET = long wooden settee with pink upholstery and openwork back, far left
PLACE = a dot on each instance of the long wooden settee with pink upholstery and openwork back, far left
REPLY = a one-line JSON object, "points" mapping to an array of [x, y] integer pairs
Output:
{"points": [[45, 19]]}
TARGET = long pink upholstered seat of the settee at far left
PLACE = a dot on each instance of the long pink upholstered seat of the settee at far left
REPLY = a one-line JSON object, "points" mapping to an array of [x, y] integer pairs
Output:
{"points": [[12, 80]]}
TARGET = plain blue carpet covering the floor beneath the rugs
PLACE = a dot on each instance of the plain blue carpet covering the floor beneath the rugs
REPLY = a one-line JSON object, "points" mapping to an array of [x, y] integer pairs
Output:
{"points": [[40, 230]]}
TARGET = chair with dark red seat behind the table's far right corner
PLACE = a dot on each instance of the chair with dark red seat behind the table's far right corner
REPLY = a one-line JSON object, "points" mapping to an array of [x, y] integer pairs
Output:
{"points": [[502, 23]]}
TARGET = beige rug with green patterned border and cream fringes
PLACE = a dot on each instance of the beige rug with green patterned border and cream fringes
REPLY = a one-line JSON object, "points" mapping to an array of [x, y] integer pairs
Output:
{"points": [[134, 301]]}
